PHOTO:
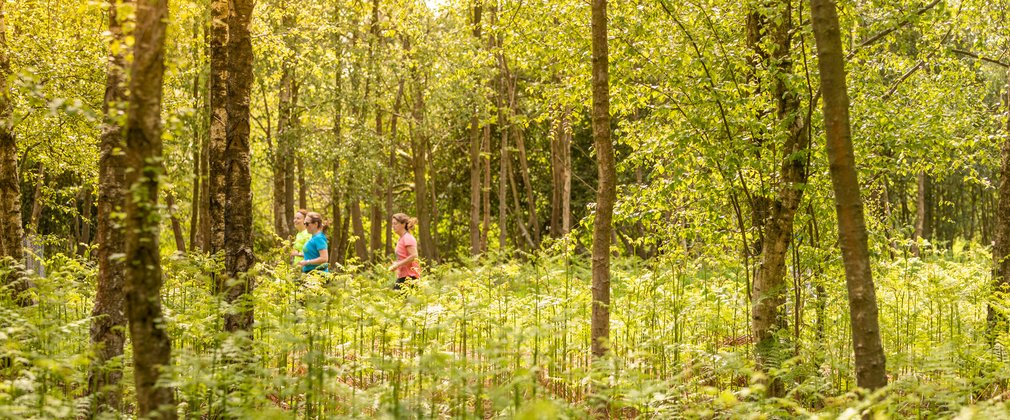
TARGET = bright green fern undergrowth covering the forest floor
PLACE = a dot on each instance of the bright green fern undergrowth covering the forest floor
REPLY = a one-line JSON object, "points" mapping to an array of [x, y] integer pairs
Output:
{"points": [[512, 340]]}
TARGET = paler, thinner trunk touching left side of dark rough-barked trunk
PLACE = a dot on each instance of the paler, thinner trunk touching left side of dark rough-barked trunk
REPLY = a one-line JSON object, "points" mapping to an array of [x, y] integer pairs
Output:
{"points": [[218, 142]]}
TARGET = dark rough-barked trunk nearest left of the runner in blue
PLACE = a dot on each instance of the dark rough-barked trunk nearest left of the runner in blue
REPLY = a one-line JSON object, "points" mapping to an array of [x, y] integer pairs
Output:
{"points": [[239, 257]]}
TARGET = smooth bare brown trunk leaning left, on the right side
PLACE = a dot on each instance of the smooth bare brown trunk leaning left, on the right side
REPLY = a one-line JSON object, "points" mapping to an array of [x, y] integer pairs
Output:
{"points": [[871, 372]]}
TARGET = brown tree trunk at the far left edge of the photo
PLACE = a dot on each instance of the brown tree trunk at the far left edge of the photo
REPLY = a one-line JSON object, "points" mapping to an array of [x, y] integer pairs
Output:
{"points": [[11, 189]]}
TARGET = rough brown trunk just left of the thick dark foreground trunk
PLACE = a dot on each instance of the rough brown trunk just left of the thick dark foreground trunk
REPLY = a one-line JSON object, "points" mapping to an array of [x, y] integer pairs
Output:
{"points": [[109, 319]]}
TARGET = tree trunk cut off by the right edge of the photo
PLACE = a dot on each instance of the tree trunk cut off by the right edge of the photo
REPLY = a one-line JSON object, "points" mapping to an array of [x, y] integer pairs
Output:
{"points": [[997, 322]]}
